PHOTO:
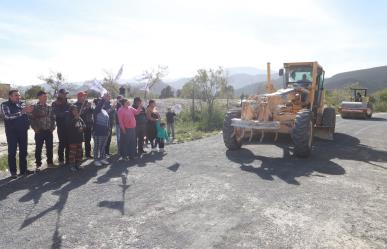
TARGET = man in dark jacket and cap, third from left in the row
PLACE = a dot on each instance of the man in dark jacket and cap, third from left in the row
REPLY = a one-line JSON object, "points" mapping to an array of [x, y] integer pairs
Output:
{"points": [[61, 108]]}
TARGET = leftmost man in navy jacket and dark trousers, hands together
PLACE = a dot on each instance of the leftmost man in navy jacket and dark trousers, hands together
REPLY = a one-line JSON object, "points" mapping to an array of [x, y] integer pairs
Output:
{"points": [[16, 129]]}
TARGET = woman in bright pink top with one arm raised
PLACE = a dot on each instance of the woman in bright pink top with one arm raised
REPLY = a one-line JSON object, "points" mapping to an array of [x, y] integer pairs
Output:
{"points": [[126, 118]]}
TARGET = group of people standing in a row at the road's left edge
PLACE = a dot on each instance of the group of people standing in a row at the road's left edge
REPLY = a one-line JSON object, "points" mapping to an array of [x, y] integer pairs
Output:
{"points": [[76, 124]]}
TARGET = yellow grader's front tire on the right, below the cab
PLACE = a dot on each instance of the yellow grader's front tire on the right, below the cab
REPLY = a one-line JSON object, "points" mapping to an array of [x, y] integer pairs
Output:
{"points": [[302, 134]]}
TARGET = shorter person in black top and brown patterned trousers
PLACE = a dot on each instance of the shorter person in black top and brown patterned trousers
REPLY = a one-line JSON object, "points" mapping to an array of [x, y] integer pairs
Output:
{"points": [[74, 131]]}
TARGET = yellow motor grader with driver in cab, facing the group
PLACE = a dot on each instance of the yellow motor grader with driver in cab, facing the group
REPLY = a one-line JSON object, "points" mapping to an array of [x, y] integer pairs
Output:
{"points": [[297, 109]]}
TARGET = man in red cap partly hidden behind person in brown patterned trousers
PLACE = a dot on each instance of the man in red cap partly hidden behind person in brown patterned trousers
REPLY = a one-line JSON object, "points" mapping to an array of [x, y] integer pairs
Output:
{"points": [[86, 112]]}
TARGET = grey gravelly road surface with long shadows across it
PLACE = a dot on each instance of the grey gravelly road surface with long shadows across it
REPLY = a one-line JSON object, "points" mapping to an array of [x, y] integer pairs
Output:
{"points": [[199, 195]]}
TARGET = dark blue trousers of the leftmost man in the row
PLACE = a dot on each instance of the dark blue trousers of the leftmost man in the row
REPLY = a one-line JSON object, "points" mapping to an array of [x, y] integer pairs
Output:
{"points": [[17, 138]]}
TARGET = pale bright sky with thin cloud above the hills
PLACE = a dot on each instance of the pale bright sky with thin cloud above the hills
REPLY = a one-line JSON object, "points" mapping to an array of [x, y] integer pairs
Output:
{"points": [[84, 39]]}
